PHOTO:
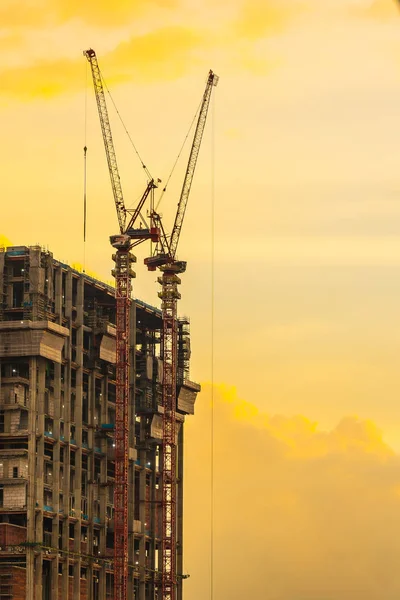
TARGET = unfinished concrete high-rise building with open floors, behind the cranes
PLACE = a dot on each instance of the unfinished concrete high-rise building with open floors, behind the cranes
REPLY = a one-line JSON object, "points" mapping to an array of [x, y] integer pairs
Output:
{"points": [[57, 417]]}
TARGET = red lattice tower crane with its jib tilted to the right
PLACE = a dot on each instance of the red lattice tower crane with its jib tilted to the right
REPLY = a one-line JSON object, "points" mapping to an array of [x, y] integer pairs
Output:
{"points": [[164, 258]]}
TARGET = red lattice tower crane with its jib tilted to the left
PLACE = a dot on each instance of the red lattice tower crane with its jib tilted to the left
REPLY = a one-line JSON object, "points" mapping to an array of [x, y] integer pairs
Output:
{"points": [[123, 242]]}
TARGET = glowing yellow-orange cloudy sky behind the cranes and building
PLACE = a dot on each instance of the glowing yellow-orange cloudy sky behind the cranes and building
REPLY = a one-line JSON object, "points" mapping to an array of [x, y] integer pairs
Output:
{"points": [[305, 125]]}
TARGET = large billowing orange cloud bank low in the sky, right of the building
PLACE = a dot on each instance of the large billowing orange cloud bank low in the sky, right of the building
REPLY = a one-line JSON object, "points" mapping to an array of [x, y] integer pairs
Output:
{"points": [[299, 513]]}
